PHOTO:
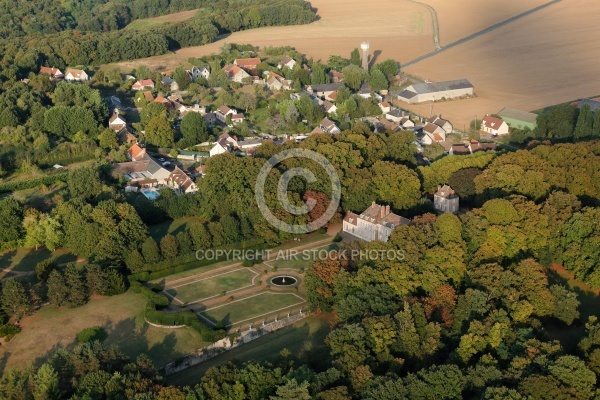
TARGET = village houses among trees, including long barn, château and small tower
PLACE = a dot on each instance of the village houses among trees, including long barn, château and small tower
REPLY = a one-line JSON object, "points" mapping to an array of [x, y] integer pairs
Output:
{"points": [[308, 101]]}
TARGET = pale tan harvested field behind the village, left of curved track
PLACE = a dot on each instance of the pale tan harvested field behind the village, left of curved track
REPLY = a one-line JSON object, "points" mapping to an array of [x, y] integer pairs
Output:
{"points": [[341, 27]]}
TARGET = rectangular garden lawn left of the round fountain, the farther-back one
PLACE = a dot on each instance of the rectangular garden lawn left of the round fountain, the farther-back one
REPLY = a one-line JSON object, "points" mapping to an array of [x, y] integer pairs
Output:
{"points": [[200, 289]]}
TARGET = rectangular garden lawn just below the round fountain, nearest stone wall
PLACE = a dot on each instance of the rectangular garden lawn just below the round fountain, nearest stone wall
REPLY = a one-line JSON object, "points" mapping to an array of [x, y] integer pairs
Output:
{"points": [[251, 307]]}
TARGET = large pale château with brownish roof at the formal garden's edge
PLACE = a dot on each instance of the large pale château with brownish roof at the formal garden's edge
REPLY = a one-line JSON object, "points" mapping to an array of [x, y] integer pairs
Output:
{"points": [[375, 223]]}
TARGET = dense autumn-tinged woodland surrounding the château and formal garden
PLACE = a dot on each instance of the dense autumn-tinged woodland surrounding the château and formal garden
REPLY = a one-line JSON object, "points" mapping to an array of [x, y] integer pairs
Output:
{"points": [[472, 310]]}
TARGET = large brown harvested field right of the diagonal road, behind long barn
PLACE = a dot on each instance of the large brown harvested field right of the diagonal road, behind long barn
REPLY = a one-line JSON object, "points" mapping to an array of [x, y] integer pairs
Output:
{"points": [[543, 59]]}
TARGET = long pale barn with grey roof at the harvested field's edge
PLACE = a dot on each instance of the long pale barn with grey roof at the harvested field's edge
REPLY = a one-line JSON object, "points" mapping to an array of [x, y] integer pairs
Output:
{"points": [[421, 92]]}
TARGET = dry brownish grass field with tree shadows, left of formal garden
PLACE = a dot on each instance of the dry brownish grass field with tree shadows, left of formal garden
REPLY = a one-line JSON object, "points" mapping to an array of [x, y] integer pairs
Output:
{"points": [[121, 316]]}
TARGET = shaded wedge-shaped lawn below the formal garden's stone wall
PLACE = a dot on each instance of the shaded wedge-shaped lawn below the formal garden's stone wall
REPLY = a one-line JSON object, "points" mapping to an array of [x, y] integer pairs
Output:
{"points": [[305, 340]]}
